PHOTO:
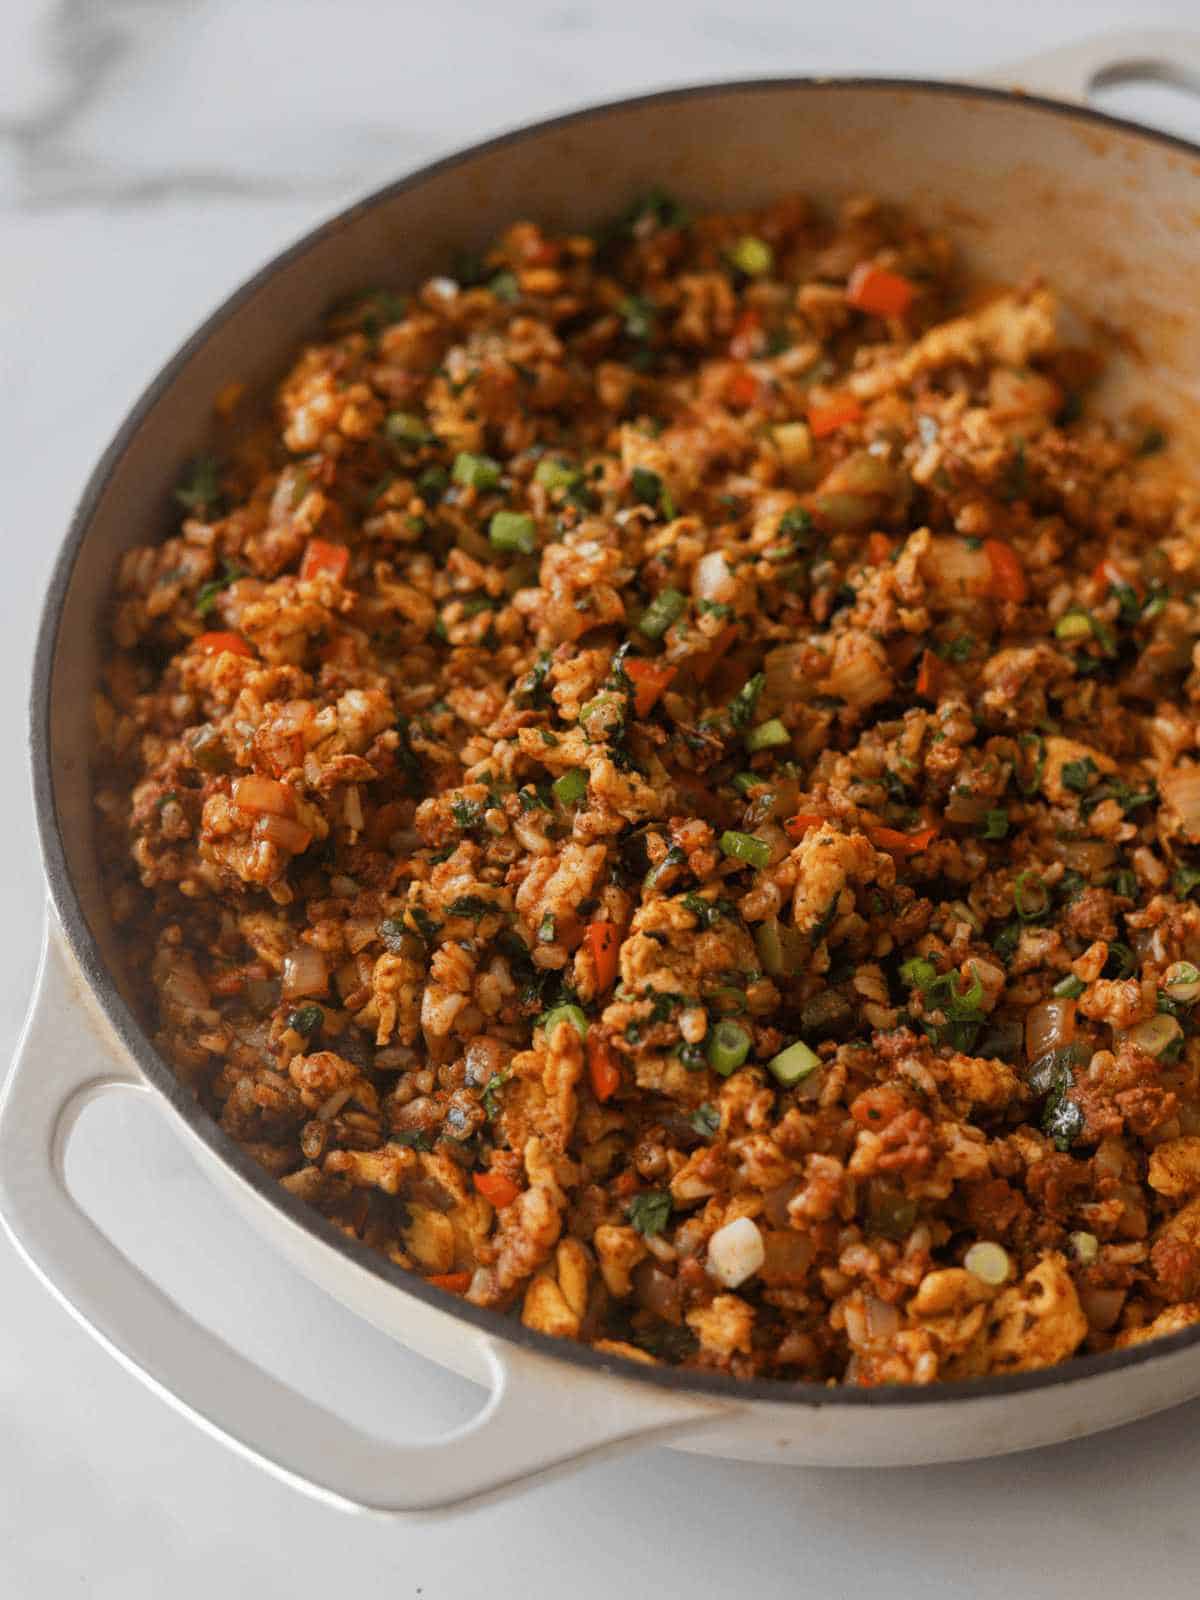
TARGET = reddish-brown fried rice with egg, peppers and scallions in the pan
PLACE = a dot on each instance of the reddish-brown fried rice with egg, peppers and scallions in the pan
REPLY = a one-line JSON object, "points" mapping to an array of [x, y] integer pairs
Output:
{"points": [[660, 791]]}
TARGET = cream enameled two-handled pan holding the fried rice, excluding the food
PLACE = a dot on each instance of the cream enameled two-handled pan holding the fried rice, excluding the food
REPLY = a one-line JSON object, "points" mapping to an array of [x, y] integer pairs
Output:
{"points": [[1106, 210]]}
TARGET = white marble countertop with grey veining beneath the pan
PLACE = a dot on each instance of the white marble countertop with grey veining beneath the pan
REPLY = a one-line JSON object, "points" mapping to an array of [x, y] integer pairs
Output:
{"points": [[151, 154]]}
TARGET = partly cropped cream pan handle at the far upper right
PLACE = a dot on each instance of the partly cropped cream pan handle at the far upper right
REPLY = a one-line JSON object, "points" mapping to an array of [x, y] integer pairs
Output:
{"points": [[1073, 71]]}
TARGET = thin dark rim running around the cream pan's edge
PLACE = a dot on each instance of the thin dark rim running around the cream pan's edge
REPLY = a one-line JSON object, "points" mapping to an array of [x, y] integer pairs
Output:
{"points": [[129, 1030]]}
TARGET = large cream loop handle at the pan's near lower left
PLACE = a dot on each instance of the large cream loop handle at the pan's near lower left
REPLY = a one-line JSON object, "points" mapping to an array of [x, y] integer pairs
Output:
{"points": [[542, 1414]]}
